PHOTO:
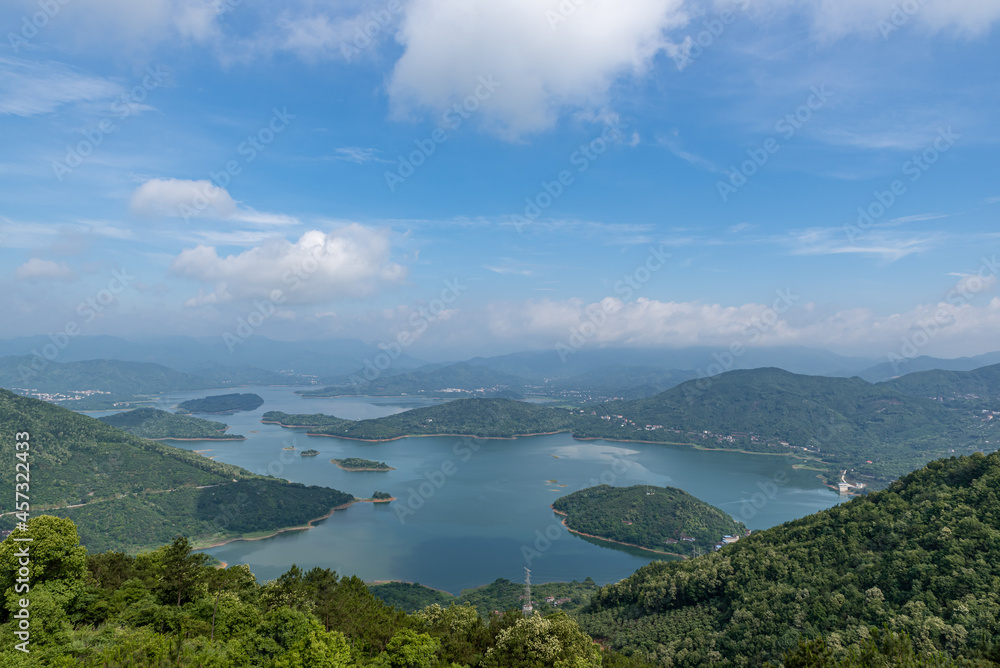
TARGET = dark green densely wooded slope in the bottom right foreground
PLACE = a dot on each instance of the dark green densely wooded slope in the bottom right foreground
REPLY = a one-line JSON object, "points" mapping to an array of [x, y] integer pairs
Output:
{"points": [[919, 557]]}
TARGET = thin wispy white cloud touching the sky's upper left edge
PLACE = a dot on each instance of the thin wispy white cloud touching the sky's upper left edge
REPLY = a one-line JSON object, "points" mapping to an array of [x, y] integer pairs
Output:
{"points": [[30, 88]]}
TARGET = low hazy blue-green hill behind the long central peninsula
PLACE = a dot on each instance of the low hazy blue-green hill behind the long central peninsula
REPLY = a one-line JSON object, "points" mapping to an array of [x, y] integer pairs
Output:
{"points": [[434, 380]]}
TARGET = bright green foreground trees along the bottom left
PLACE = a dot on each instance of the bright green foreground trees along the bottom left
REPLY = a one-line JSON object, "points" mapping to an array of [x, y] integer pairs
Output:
{"points": [[168, 607]]}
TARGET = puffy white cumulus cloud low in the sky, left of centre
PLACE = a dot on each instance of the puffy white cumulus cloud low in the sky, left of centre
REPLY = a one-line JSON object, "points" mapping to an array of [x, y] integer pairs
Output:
{"points": [[353, 261]]}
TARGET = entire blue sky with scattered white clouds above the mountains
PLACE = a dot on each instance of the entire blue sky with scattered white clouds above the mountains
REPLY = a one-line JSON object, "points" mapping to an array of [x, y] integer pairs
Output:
{"points": [[463, 177]]}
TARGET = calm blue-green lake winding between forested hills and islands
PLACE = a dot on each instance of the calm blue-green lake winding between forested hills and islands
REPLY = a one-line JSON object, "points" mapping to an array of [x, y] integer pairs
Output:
{"points": [[469, 511]]}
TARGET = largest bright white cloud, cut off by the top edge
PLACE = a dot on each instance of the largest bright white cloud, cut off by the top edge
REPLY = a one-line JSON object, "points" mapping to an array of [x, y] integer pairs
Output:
{"points": [[543, 65]]}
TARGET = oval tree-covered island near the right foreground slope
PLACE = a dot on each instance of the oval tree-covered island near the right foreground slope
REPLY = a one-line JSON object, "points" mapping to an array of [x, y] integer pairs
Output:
{"points": [[662, 519]]}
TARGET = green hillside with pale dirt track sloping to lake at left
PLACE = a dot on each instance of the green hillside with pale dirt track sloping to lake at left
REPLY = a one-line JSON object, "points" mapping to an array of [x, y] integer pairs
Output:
{"points": [[138, 493]]}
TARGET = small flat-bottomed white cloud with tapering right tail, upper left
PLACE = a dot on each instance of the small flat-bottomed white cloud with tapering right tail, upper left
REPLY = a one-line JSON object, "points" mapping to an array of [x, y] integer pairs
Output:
{"points": [[184, 198]]}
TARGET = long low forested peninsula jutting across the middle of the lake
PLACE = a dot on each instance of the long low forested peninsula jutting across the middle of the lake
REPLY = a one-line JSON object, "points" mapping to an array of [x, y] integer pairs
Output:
{"points": [[497, 418]]}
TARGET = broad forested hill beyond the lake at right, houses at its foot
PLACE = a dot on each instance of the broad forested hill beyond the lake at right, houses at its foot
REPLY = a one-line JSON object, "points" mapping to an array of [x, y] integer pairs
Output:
{"points": [[844, 421]]}
